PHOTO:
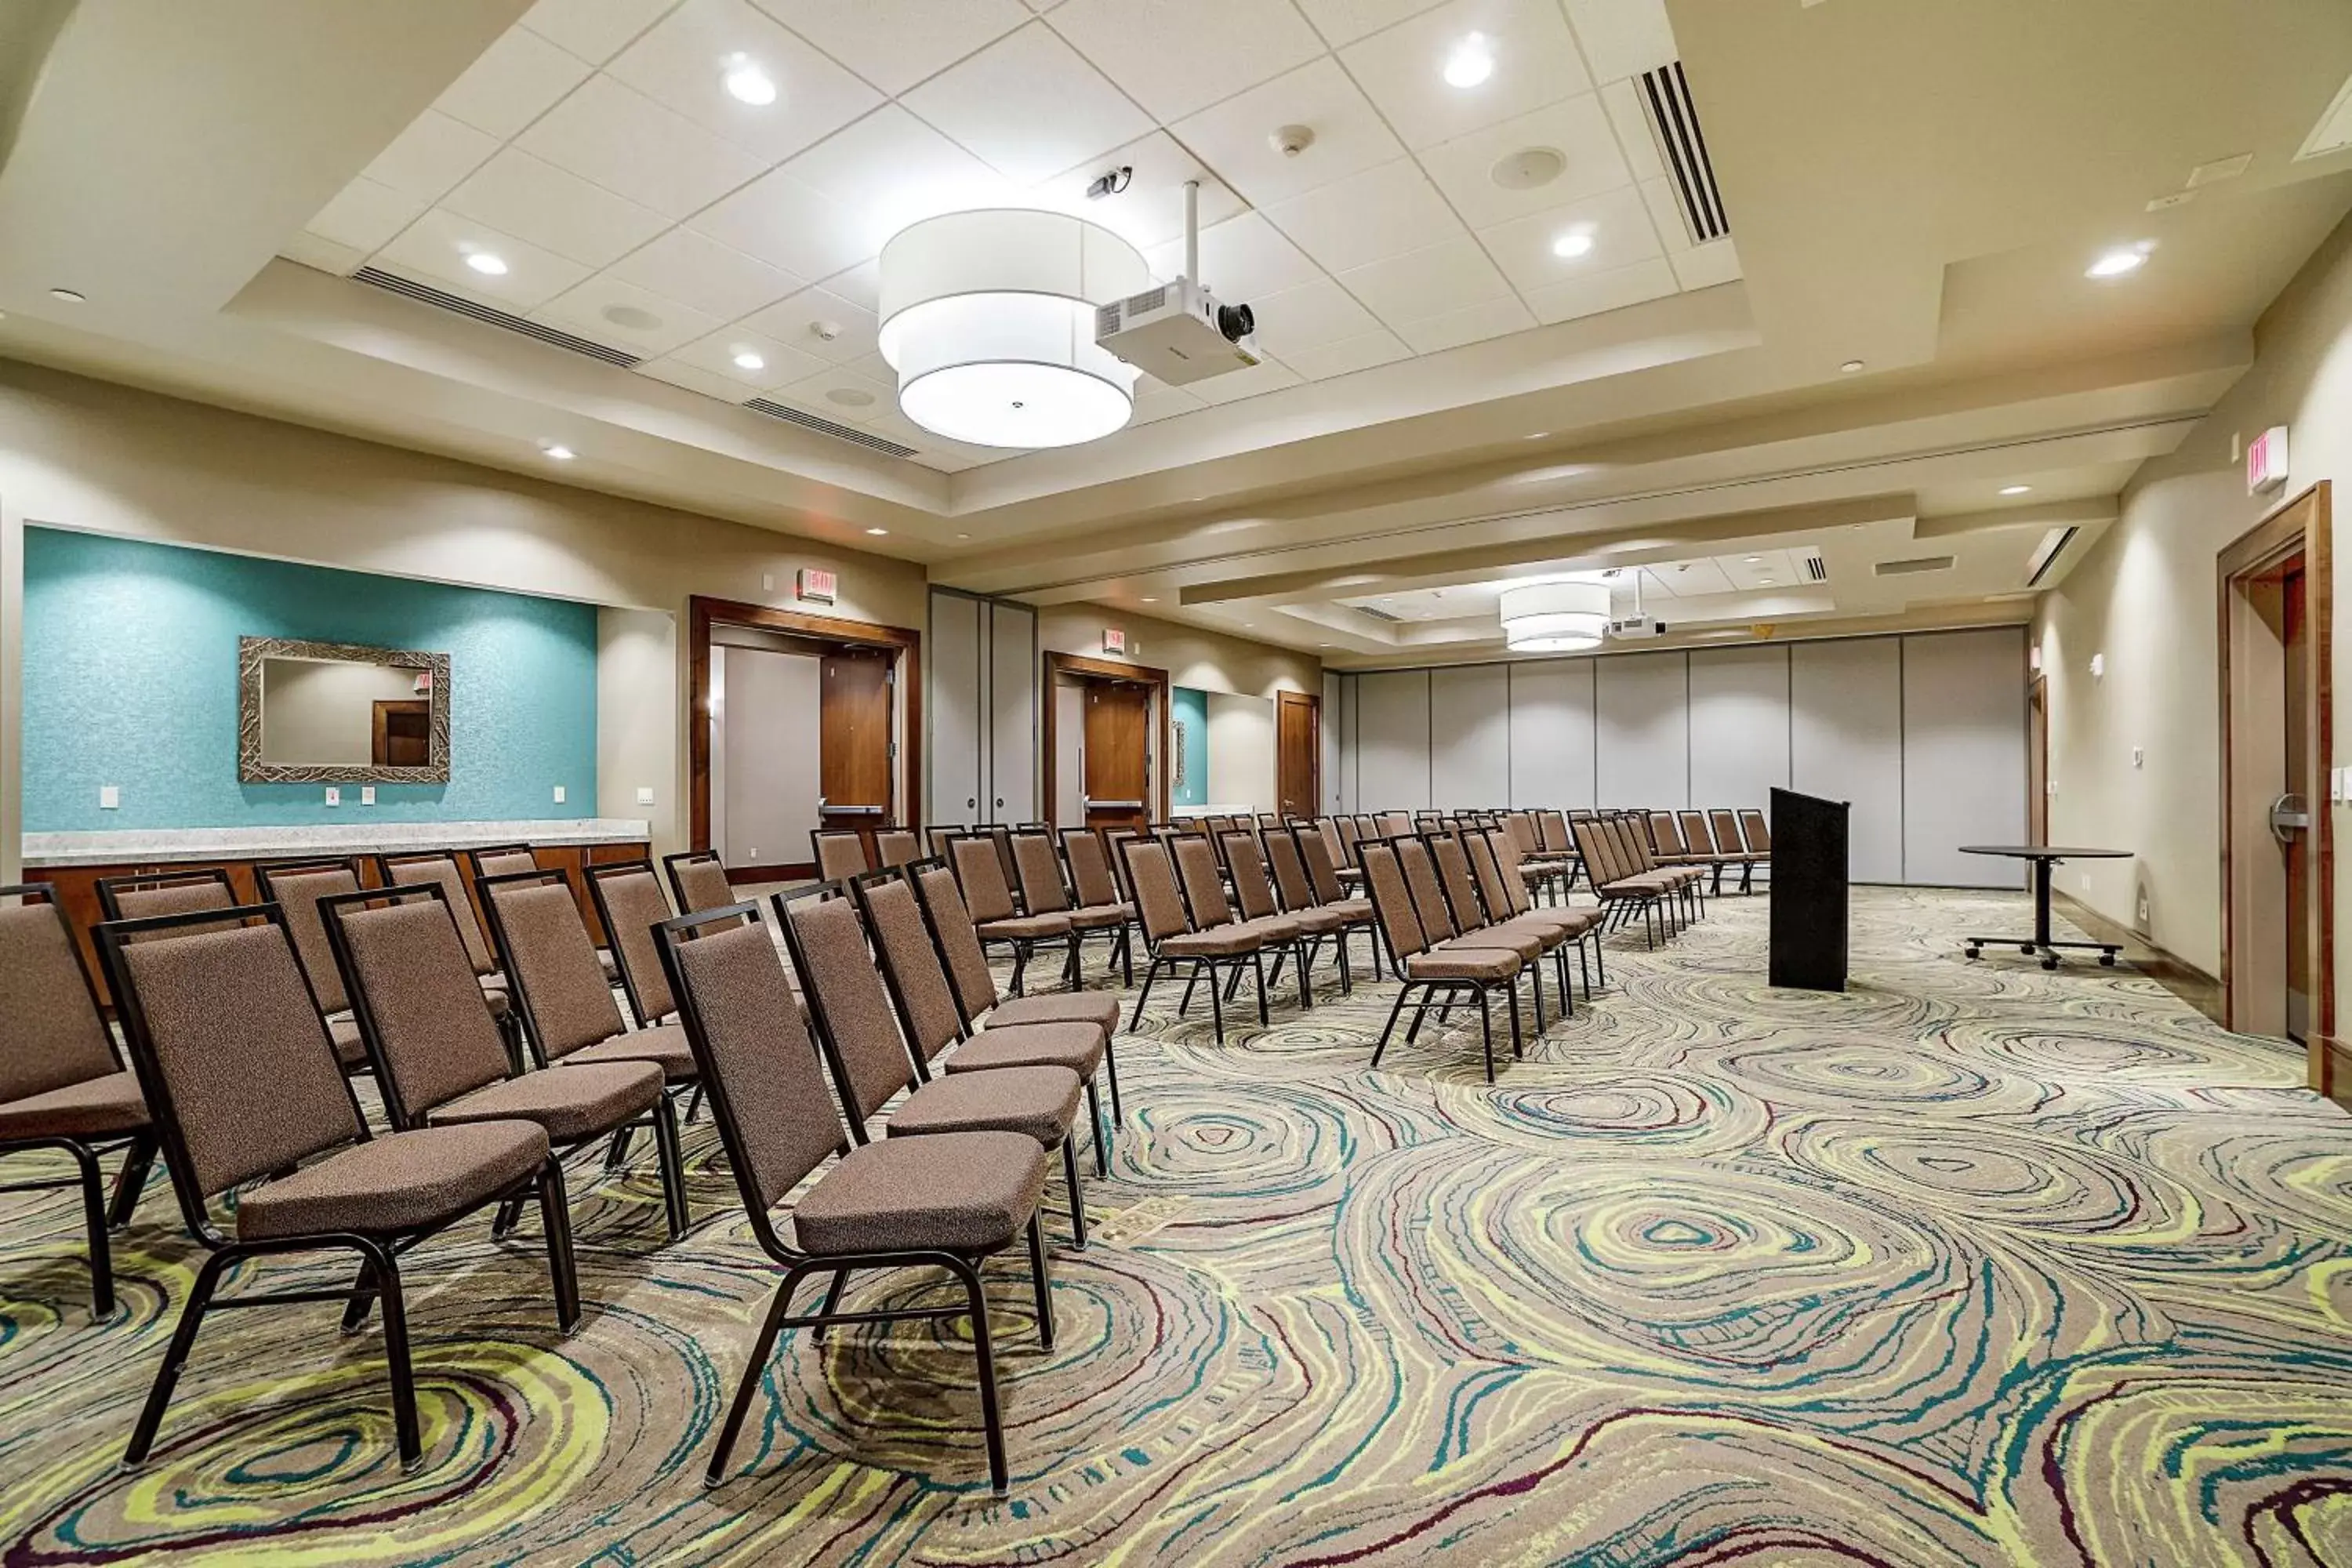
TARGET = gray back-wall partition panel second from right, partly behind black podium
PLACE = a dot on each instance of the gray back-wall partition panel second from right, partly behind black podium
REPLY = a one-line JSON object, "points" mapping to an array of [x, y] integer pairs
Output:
{"points": [[1847, 744]]}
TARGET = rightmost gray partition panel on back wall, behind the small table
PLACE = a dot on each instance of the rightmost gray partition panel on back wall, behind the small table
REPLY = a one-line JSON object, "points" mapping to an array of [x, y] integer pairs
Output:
{"points": [[1963, 756]]}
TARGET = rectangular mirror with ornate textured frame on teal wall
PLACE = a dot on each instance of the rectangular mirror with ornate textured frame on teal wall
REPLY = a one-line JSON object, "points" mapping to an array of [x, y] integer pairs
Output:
{"points": [[340, 713]]}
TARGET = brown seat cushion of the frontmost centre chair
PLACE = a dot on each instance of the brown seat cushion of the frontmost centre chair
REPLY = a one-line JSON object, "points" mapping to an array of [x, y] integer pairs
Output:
{"points": [[956, 1193]]}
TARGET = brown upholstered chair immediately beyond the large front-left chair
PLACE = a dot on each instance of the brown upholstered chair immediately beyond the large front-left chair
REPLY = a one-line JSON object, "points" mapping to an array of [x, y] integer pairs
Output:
{"points": [[441, 1061]]}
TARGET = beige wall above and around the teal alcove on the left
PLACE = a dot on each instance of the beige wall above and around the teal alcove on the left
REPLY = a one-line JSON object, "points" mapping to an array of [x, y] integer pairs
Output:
{"points": [[88, 455]]}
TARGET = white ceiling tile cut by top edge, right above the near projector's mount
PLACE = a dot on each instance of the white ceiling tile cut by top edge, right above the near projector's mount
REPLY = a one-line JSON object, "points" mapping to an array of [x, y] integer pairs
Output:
{"points": [[1180, 58]]}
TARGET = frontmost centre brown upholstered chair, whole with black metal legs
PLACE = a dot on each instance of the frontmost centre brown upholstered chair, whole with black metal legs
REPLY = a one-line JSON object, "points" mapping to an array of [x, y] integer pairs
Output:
{"points": [[951, 1200]]}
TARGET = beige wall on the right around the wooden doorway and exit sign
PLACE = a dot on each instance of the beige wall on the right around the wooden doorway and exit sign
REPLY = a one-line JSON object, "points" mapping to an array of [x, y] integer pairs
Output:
{"points": [[2146, 601]]}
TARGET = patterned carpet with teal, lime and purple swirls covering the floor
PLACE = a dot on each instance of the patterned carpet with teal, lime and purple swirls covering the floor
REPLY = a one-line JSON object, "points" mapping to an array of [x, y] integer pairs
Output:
{"points": [[1967, 1266]]}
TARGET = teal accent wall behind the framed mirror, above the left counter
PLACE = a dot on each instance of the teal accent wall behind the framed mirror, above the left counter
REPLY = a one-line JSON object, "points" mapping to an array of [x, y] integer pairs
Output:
{"points": [[131, 678]]}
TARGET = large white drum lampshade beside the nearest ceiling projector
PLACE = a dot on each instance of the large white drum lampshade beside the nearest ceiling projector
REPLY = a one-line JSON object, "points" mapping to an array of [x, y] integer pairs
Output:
{"points": [[989, 321]]}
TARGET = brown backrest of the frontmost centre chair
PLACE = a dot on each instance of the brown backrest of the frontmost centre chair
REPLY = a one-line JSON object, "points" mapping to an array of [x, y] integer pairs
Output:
{"points": [[754, 1054]]}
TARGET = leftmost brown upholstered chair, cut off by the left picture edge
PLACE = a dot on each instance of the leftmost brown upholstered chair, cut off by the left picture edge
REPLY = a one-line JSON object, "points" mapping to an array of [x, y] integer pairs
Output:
{"points": [[62, 1085]]}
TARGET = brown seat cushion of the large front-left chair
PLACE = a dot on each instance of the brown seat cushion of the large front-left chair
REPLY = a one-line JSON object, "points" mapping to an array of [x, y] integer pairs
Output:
{"points": [[401, 1181]]}
